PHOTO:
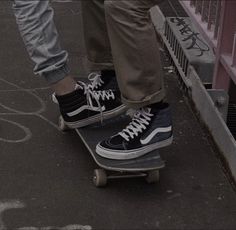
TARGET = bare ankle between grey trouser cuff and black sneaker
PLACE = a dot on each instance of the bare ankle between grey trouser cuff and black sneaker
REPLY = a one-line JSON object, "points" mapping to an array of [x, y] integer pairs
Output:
{"points": [[65, 86]]}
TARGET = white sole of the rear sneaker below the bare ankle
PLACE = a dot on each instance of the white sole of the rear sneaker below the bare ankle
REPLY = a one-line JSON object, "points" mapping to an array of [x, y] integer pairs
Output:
{"points": [[88, 121]]}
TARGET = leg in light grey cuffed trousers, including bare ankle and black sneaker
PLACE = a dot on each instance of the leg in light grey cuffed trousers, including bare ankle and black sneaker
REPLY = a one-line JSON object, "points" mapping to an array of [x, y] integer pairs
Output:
{"points": [[79, 105]]}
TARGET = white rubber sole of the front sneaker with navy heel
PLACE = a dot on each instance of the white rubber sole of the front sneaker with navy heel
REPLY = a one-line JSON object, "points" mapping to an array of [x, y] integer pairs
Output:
{"points": [[131, 154]]}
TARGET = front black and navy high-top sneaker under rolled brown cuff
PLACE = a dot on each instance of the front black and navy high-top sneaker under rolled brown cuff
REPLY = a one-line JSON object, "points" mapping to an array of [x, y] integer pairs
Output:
{"points": [[150, 129]]}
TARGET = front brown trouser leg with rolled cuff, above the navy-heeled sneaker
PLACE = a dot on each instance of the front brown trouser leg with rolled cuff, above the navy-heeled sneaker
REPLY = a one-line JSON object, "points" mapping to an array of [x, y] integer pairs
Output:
{"points": [[135, 51]]}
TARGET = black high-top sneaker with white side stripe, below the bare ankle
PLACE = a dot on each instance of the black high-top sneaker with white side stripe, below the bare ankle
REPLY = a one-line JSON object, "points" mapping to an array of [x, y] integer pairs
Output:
{"points": [[84, 106]]}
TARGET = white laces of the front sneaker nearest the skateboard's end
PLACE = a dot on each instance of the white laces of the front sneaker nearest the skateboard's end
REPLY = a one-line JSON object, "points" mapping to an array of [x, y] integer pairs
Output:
{"points": [[140, 121]]}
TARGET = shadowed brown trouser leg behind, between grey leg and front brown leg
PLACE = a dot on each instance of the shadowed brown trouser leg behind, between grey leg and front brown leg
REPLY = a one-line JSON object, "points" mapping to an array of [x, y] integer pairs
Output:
{"points": [[96, 36]]}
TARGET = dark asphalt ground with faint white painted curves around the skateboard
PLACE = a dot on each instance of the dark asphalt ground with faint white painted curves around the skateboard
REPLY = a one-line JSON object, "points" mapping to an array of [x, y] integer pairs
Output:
{"points": [[46, 176]]}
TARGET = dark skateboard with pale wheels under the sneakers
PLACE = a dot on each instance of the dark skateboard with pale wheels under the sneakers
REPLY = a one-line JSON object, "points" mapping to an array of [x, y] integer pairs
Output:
{"points": [[146, 166]]}
